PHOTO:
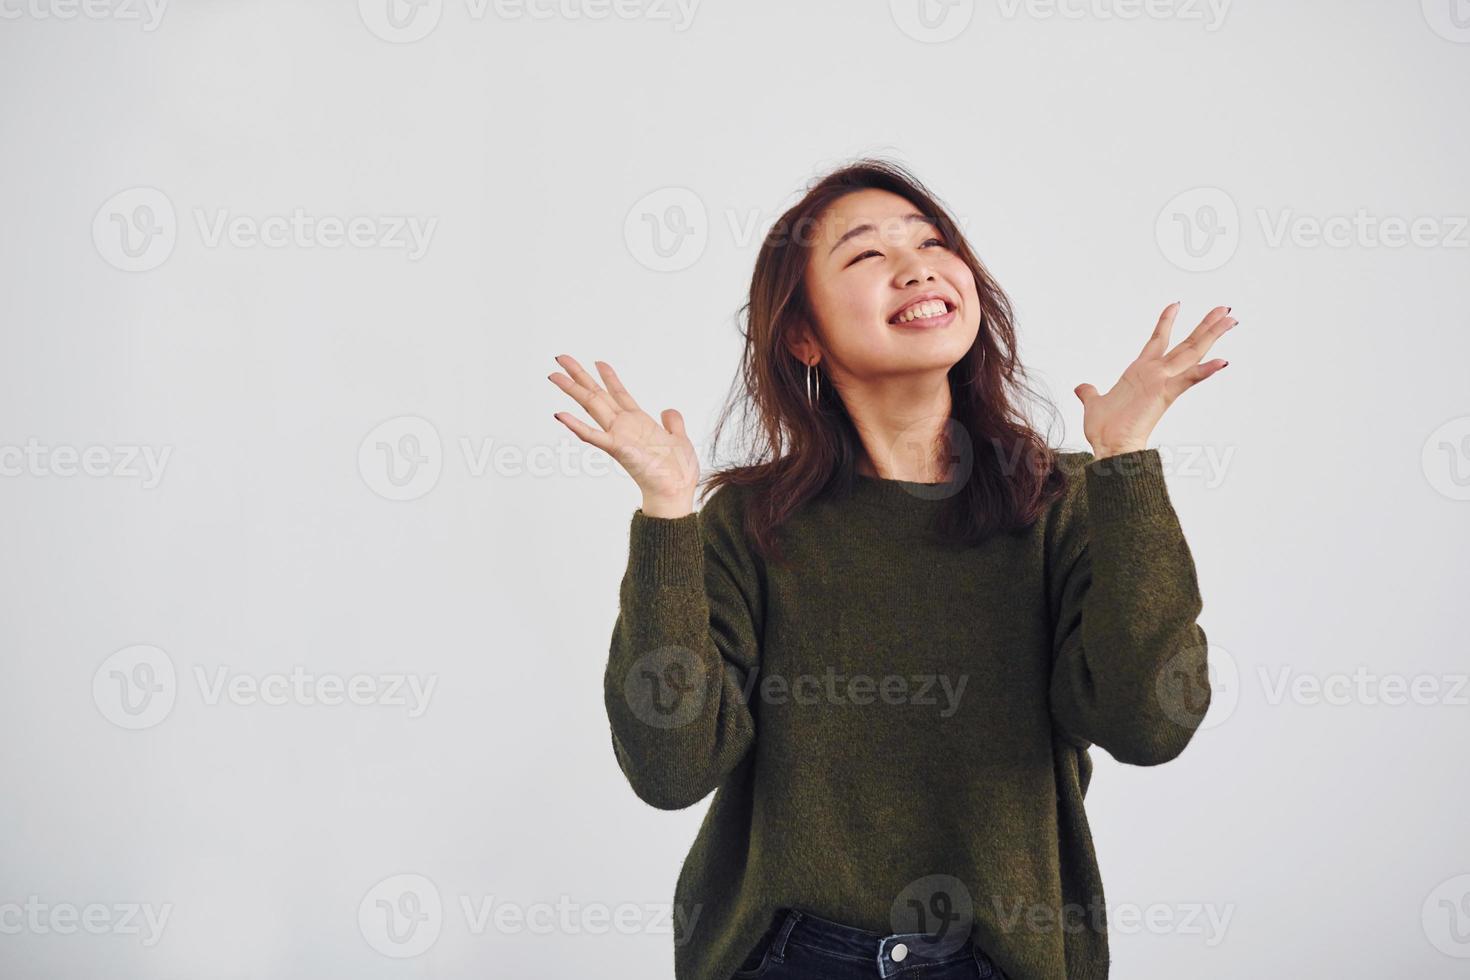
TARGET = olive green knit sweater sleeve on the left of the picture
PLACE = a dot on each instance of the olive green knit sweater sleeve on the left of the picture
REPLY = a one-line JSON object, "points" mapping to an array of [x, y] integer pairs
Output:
{"points": [[684, 643]]}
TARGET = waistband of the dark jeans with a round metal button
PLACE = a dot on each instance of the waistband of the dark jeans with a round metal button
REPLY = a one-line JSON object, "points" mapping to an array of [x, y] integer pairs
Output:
{"points": [[892, 953]]}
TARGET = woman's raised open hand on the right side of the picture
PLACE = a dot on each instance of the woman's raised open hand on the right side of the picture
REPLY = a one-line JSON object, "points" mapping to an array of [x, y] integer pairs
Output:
{"points": [[1122, 419]]}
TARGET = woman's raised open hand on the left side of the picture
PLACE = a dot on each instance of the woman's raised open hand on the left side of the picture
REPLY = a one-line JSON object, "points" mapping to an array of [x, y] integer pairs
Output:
{"points": [[658, 456]]}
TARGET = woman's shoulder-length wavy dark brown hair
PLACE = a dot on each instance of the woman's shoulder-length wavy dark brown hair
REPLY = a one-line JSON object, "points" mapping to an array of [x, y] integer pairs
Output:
{"points": [[800, 453]]}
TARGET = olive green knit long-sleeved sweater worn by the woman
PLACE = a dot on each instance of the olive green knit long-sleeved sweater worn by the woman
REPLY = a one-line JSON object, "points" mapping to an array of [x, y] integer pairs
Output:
{"points": [[897, 732]]}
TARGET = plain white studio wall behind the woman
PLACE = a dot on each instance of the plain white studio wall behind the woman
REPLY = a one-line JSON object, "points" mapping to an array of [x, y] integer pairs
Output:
{"points": [[283, 284]]}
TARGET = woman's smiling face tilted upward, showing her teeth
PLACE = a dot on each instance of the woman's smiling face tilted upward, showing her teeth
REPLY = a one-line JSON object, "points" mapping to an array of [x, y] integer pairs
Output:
{"points": [[872, 256]]}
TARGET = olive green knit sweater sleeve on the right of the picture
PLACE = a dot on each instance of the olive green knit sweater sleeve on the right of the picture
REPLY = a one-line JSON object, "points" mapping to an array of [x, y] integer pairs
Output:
{"points": [[1130, 669]]}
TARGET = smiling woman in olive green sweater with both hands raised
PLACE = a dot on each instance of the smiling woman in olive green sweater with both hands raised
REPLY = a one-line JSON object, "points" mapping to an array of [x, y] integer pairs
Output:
{"points": [[890, 641]]}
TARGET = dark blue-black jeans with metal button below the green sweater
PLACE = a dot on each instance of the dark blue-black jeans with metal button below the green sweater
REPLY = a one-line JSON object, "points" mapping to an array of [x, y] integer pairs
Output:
{"points": [[805, 947]]}
